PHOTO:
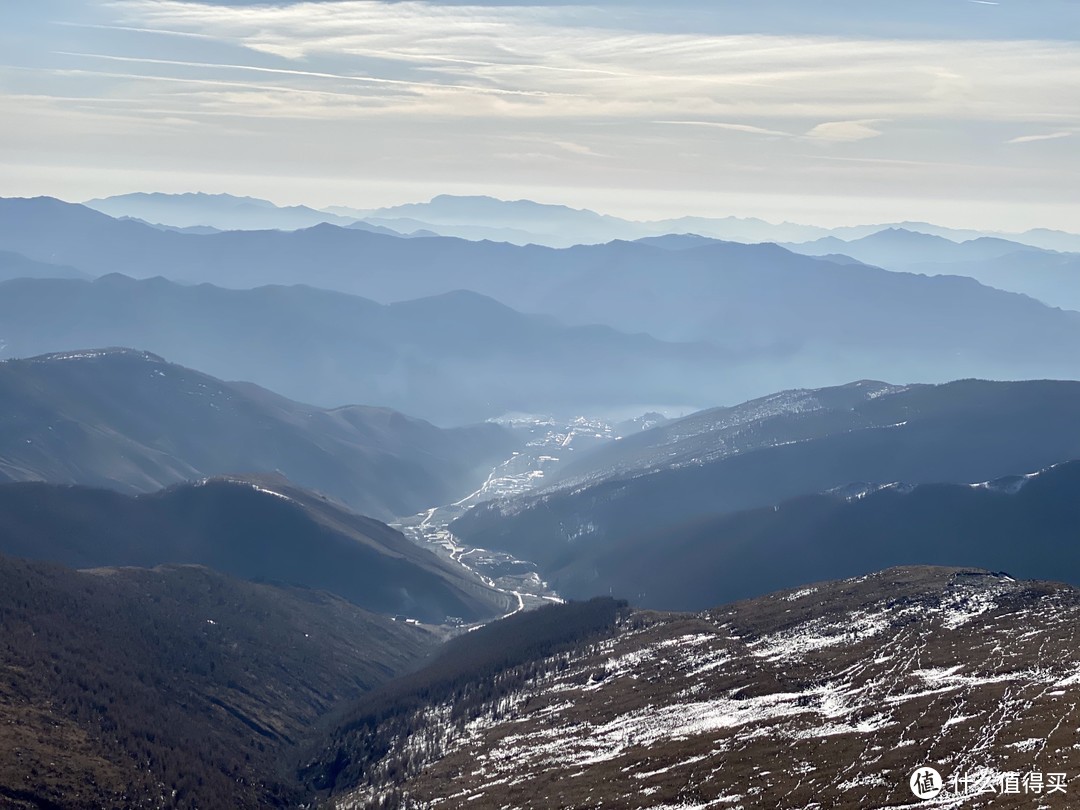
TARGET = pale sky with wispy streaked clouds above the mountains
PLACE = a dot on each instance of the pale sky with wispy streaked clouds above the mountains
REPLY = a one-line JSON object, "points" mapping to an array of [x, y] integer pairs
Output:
{"points": [[965, 113]]}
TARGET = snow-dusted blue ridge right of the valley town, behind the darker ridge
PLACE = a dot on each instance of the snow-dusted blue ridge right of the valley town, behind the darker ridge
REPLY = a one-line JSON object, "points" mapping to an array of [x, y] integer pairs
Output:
{"points": [[812, 442]]}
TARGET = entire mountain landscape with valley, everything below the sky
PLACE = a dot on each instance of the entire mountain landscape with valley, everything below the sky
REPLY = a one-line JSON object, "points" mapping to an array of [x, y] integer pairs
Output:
{"points": [[294, 641]]}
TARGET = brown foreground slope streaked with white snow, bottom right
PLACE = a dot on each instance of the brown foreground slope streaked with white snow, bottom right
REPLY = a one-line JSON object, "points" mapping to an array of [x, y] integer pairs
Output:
{"points": [[830, 696]]}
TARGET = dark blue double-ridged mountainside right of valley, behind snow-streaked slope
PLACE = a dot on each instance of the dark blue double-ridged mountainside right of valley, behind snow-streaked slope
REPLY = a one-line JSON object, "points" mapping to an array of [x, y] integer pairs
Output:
{"points": [[730, 503]]}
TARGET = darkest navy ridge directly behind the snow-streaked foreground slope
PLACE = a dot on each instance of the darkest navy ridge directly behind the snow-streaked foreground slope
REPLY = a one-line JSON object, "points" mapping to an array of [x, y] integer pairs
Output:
{"points": [[1022, 525]]}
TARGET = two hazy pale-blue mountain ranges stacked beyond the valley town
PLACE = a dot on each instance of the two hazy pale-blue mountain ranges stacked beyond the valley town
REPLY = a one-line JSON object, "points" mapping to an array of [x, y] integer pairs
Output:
{"points": [[765, 318]]}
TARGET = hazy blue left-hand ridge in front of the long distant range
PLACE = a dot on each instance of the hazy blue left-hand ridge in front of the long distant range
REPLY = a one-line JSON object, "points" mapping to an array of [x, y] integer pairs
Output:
{"points": [[453, 359]]}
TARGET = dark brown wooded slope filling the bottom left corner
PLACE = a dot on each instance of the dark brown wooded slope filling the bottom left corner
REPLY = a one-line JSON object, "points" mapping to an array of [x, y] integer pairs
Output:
{"points": [[174, 687]]}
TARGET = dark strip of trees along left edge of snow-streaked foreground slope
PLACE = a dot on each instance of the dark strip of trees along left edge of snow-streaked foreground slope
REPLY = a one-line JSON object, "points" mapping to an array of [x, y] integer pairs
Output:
{"points": [[399, 730]]}
